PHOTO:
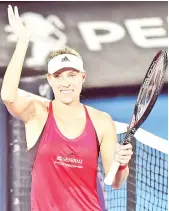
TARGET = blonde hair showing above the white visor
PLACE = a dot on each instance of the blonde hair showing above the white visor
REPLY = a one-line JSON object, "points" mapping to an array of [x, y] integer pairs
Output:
{"points": [[63, 51]]}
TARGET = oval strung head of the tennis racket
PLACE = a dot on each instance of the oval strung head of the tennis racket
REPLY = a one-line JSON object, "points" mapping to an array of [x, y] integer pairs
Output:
{"points": [[151, 86]]}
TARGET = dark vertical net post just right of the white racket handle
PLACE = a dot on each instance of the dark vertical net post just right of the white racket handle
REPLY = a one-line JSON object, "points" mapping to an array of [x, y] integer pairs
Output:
{"points": [[131, 180]]}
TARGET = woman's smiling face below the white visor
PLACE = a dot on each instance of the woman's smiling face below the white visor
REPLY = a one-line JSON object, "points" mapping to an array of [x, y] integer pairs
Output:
{"points": [[67, 85]]}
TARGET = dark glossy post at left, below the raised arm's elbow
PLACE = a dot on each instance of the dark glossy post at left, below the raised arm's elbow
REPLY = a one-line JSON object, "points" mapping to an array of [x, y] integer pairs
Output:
{"points": [[18, 179]]}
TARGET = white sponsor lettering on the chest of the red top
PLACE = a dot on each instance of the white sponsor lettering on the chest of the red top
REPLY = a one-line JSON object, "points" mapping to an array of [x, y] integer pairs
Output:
{"points": [[69, 162]]}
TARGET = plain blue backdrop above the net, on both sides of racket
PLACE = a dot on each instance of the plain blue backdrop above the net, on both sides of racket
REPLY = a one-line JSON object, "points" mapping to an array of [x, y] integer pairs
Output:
{"points": [[121, 109]]}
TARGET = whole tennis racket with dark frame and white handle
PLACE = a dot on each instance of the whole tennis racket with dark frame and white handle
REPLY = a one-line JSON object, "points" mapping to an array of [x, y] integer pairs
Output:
{"points": [[147, 96]]}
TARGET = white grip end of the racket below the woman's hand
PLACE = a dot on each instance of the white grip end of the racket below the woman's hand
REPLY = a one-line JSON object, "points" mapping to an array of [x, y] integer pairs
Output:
{"points": [[111, 173]]}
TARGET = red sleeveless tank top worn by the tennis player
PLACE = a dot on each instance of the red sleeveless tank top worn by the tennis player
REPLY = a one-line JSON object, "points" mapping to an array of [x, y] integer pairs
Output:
{"points": [[64, 173]]}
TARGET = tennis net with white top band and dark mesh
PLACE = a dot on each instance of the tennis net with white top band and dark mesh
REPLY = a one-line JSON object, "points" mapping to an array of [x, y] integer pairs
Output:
{"points": [[147, 185]]}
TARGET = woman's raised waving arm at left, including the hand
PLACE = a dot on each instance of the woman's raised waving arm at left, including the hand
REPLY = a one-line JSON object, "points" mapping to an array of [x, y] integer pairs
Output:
{"points": [[19, 106]]}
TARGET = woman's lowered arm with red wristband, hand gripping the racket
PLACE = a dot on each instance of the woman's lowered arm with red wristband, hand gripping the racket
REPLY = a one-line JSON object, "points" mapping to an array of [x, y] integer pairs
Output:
{"points": [[111, 151]]}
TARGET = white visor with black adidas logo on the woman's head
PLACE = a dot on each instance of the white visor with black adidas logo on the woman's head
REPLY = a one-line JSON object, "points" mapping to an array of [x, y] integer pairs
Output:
{"points": [[65, 61]]}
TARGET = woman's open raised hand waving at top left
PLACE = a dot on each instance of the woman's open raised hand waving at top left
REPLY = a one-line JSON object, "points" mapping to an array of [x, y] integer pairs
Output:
{"points": [[20, 30]]}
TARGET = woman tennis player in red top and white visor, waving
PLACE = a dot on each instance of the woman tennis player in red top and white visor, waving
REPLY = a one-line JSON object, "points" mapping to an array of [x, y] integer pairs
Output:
{"points": [[63, 136]]}
